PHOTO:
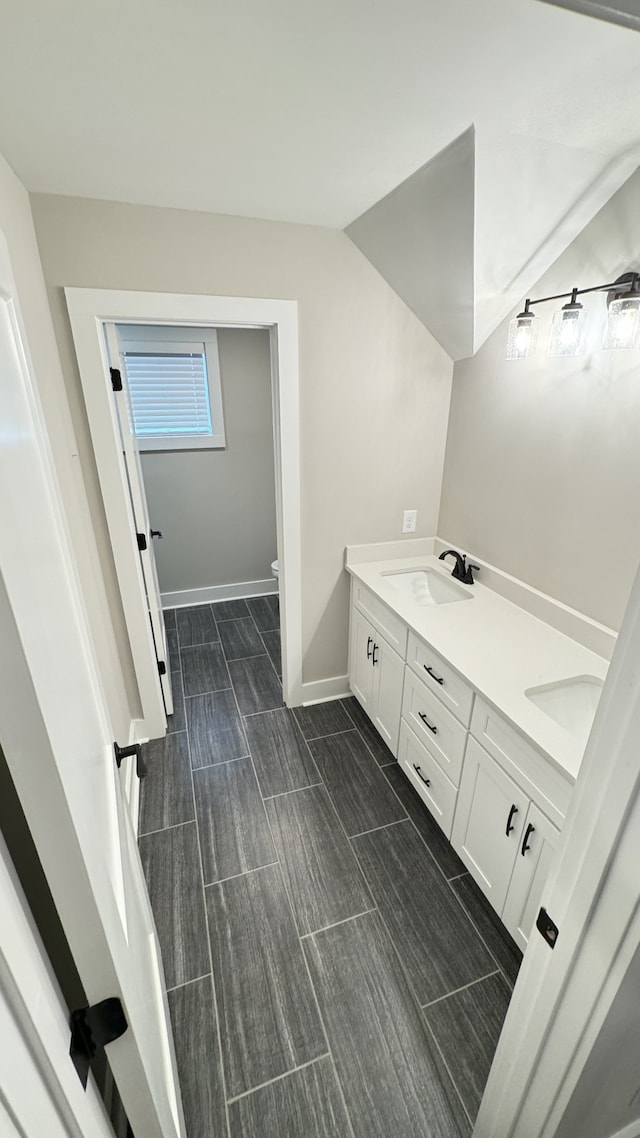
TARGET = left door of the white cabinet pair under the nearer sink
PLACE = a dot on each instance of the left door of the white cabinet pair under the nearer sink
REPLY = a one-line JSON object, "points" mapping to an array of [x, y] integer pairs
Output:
{"points": [[489, 823]]}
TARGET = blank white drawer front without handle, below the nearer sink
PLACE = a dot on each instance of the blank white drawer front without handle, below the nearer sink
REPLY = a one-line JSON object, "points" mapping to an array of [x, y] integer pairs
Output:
{"points": [[540, 780]]}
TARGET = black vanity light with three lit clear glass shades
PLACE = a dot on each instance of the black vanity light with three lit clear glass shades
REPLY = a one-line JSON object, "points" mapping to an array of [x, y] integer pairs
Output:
{"points": [[569, 329]]}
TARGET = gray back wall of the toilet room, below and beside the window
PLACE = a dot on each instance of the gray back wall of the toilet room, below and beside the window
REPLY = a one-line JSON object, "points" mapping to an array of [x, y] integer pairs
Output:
{"points": [[217, 509]]}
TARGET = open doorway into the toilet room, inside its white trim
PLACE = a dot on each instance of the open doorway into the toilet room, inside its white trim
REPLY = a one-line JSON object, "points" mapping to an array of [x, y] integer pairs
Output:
{"points": [[201, 406]]}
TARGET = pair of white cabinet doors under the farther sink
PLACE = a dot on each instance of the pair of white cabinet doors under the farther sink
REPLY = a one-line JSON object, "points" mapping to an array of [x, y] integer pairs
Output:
{"points": [[376, 678]]}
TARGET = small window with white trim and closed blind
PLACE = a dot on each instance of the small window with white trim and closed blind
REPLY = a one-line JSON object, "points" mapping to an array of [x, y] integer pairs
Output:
{"points": [[174, 378]]}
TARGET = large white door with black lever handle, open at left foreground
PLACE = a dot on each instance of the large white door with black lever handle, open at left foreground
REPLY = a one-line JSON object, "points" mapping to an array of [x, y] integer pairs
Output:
{"points": [[59, 745]]}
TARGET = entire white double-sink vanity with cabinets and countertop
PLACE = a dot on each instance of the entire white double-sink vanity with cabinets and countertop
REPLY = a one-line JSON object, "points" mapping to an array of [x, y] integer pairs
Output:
{"points": [[487, 707]]}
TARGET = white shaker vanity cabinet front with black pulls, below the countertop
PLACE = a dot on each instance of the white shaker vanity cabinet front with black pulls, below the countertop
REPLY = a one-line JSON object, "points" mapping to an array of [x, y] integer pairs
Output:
{"points": [[498, 799]]}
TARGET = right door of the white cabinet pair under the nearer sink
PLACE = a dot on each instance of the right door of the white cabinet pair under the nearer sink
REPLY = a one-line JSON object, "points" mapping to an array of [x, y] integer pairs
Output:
{"points": [[536, 853]]}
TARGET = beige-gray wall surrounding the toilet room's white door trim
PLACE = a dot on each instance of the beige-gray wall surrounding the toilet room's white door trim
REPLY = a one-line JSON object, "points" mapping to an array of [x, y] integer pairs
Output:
{"points": [[375, 385]]}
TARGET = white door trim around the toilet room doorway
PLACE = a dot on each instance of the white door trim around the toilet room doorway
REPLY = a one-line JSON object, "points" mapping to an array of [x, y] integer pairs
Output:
{"points": [[89, 310]]}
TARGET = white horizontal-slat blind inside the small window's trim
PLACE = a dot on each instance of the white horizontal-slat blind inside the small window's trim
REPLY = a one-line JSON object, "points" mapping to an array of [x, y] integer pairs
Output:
{"points": [[169, 394]]}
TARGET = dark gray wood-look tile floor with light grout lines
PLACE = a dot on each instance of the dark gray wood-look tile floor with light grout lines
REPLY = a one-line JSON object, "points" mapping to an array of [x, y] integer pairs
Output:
{"points": [[335, 916]]}
